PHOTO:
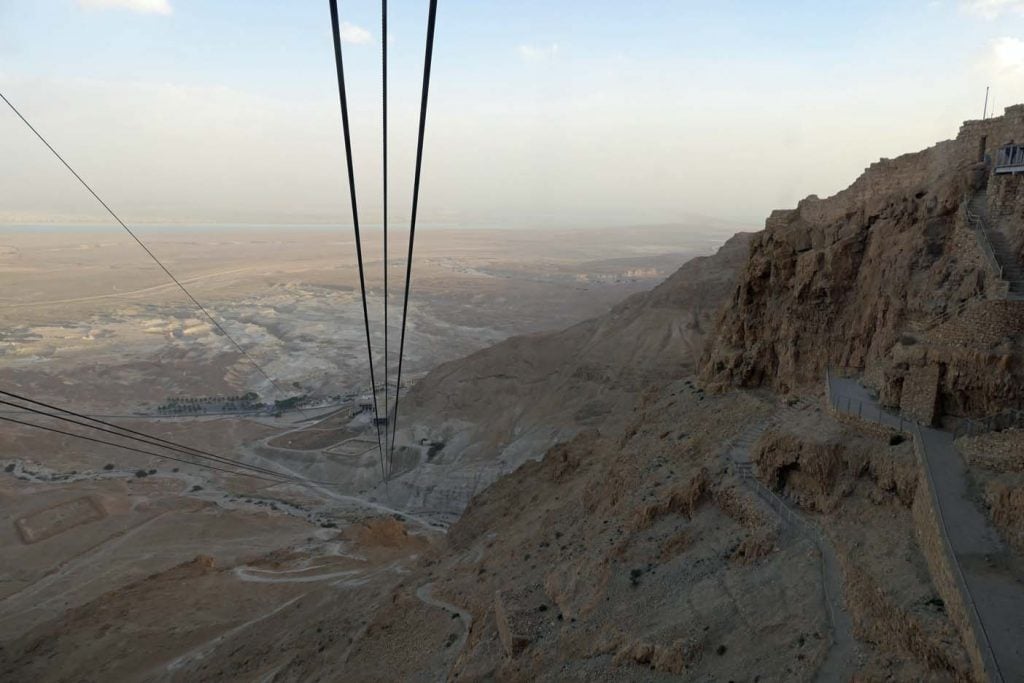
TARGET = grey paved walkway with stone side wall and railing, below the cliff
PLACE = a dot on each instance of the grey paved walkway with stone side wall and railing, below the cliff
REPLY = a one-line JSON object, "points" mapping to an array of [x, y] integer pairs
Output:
{"points": [[985, 560]]}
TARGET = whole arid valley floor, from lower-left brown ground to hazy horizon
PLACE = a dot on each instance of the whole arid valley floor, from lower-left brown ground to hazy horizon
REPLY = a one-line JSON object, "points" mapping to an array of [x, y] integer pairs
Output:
{"points": [[89, 323]]}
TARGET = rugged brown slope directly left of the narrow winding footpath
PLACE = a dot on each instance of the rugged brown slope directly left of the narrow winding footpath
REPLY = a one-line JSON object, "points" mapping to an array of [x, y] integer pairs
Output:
{"points": [[633, 557]]}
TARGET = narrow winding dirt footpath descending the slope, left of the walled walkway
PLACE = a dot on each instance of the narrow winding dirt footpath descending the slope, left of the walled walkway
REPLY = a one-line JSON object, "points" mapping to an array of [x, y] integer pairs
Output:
{"points": [[839, 665]]}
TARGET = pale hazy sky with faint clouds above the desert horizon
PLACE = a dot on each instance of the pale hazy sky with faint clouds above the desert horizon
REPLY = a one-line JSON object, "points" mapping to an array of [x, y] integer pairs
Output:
{"points": [[572, 112]]}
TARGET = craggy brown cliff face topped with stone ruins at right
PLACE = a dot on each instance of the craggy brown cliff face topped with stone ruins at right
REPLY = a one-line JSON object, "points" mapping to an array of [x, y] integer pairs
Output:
{"points": [[856, 280]]}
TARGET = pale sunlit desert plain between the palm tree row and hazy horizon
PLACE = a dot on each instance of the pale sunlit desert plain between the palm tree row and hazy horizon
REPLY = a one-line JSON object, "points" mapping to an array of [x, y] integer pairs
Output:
{"points": [[87, 317]]}
